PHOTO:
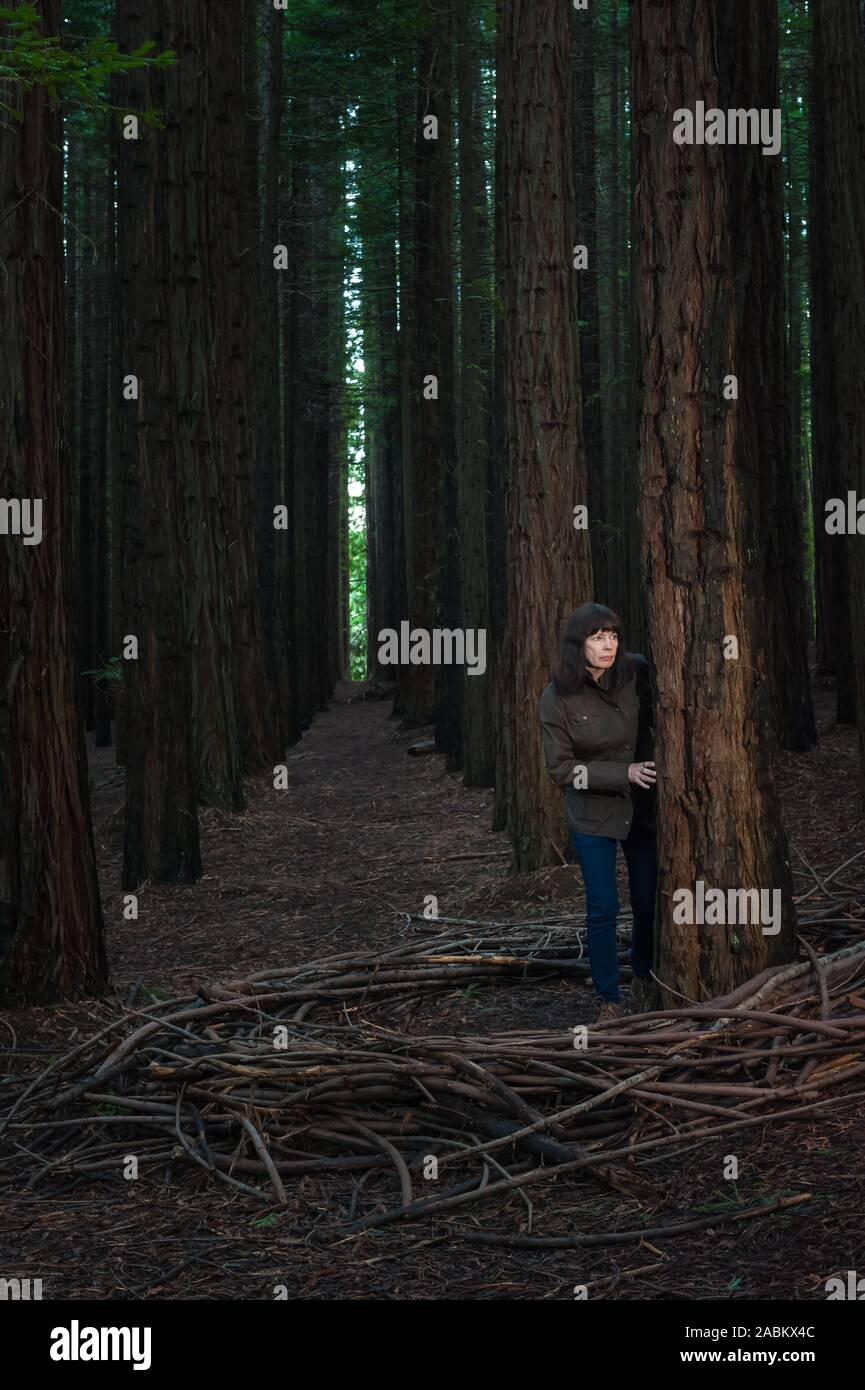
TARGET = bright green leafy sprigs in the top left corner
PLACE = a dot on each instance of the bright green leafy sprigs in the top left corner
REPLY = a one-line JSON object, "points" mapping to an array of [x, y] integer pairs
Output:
{"points": [[77, 74]]}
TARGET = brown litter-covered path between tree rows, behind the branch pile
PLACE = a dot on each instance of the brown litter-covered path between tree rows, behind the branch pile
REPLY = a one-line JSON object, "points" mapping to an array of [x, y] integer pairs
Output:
{"points": [[359, 839]]}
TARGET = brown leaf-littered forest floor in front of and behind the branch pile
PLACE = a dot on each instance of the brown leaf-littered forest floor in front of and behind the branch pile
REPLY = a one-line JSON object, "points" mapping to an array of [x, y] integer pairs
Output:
{"points": [[334, 864]]}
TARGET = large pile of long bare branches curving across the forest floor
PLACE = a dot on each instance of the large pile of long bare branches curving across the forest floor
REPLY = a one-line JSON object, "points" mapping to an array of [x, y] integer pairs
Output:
{"points": [[261, 1082]]}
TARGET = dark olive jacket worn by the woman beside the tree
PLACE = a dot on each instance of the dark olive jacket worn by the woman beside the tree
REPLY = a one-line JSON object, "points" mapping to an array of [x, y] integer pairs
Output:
{"points": [[590, 742]]}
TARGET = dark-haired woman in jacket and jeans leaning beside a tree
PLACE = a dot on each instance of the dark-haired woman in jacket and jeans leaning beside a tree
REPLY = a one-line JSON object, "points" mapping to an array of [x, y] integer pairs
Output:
{"points": [[596, 719]]}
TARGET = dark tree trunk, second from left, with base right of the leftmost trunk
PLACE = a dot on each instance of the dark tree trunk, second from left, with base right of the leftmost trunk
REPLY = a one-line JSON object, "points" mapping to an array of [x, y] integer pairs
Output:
{"points": [[162, 837]]}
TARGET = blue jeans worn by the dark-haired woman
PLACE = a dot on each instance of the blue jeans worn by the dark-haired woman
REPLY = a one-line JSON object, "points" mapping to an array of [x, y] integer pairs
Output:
{"points": [[597, 857]]}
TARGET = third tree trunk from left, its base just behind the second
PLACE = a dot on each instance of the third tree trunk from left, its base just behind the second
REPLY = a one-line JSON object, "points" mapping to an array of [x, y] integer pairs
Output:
{"points": [[191, 149]]}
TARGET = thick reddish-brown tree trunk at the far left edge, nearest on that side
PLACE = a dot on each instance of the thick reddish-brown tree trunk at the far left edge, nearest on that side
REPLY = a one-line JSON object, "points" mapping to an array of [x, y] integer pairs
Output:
{"points": [[51, 917]]}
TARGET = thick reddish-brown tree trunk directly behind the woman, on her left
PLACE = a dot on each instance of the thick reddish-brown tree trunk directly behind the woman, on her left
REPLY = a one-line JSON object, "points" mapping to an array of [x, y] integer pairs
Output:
{"points": [[549, 561]]}
